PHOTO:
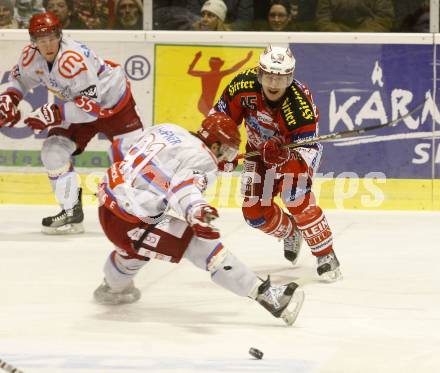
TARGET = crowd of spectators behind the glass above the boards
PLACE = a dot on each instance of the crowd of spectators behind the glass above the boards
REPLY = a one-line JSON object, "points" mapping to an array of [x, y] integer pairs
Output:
{"points": [[227, 15]]}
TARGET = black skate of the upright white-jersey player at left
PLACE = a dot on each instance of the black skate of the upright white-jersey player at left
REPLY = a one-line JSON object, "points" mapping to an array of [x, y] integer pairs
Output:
{"points": [[66, 222]]}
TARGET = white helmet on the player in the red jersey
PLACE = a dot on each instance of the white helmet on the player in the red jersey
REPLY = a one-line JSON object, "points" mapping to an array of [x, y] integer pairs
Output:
{"points": [[276, 67]]}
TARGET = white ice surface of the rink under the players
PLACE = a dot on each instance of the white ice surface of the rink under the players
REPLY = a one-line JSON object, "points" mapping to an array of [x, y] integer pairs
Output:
{"points": [[383, 317]]}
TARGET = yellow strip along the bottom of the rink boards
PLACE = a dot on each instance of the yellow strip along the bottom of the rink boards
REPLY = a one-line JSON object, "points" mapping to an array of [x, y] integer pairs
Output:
{"points": [[350, 193]]}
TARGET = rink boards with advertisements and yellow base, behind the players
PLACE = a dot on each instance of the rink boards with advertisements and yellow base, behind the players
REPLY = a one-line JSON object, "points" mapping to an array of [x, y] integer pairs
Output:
{"points": [[357, 80]]}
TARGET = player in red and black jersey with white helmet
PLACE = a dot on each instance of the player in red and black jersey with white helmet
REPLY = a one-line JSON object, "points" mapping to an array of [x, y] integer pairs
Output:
{"points": [[278, 110]]}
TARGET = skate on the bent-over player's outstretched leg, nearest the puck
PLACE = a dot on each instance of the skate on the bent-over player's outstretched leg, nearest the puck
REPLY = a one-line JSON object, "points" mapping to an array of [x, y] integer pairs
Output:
{"points": [[283, 301]]}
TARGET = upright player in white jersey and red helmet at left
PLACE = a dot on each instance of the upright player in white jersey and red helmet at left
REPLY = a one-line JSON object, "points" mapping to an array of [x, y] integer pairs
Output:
{"points": [[92, 95]]}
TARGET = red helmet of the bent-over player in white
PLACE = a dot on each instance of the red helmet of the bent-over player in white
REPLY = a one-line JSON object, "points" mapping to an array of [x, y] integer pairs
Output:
{"points": [[219, 127]]}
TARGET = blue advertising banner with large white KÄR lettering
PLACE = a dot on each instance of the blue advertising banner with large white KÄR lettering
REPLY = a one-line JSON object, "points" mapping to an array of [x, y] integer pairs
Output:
{"points": [[361, 85]]}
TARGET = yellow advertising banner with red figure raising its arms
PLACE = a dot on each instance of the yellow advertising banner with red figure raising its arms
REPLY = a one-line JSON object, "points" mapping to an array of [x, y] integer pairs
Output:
{"points": [[190, 79]]}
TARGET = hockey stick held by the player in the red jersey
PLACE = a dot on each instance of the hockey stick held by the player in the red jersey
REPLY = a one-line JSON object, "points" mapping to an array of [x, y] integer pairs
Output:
{"points": [[338, 135]]}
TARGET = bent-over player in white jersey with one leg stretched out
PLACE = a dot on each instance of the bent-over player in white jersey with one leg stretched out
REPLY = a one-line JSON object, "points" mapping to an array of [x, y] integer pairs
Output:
{"points": [[168, 169]]}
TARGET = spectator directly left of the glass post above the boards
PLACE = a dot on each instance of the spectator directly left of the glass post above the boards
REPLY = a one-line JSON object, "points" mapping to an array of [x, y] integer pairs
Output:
{"points": [[129, 15]]}
